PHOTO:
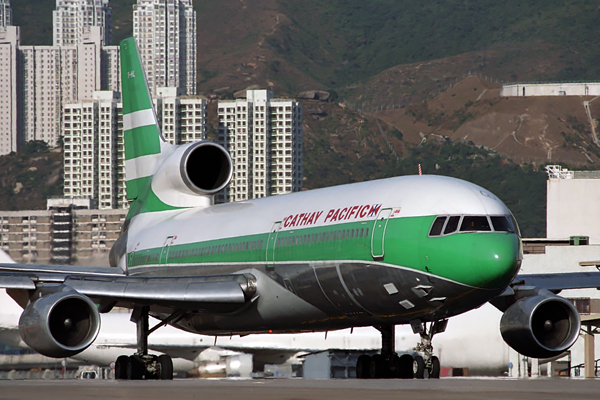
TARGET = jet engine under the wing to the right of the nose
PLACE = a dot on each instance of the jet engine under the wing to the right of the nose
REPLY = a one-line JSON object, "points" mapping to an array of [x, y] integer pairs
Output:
{"points": [[540, 326]]}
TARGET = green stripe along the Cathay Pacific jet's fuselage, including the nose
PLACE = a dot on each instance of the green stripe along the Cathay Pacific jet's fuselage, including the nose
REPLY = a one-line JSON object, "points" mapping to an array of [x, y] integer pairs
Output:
{"points": [[475, 259]]}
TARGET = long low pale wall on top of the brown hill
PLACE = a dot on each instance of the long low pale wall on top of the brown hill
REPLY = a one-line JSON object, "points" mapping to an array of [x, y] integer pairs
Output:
{"points": [[551, 89]]}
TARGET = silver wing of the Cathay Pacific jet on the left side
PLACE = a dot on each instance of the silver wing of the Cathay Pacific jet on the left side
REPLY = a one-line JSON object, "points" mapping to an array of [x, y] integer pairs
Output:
{"points": [[109, 287]]}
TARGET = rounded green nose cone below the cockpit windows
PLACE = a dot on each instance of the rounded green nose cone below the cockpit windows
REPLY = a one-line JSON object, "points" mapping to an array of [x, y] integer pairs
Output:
{"points": [[496, 259]]}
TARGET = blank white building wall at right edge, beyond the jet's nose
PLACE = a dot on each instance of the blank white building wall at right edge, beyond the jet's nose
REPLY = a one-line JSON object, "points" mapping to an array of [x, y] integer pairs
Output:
{"points": [[573, 209]]}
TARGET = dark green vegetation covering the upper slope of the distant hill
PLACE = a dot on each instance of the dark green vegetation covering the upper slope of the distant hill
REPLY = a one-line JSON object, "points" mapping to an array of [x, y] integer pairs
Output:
{"points": [[342, 42]]}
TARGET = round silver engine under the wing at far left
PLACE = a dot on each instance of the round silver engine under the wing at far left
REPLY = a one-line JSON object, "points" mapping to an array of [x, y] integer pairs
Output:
{"points": [[60, 324]]}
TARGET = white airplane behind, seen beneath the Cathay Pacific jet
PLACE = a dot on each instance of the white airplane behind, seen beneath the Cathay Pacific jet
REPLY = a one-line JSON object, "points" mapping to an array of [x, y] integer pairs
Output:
{"points": [[472, 341]]}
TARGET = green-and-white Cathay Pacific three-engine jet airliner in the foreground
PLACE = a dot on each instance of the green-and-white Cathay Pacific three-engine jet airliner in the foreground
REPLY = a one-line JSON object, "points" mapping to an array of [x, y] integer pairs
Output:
{"points": [[412, 250]]}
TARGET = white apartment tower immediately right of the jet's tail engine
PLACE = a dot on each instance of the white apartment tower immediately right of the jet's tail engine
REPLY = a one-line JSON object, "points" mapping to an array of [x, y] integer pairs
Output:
{"points": [[264, 138]]}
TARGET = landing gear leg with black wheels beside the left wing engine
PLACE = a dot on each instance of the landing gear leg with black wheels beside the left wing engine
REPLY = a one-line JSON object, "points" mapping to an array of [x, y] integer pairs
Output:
{"points": [[142, 365]]}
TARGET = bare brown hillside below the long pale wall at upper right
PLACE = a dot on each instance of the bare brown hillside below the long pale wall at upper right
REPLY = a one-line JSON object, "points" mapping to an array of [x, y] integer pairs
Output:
{"points": [[532, 129]]}
